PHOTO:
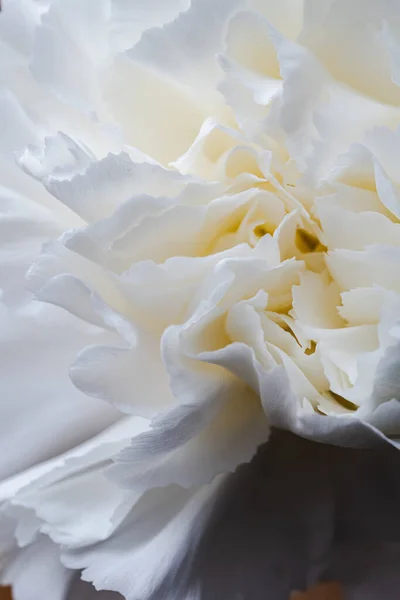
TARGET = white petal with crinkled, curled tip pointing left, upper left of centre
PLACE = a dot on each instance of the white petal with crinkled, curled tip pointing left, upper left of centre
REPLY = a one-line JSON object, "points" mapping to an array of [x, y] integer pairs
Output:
{"points": [[94, 188]]}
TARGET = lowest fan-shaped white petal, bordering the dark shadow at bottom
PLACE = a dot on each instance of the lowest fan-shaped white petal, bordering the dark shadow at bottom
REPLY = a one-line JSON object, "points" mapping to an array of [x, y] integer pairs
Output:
{"points": [[139, 561]]}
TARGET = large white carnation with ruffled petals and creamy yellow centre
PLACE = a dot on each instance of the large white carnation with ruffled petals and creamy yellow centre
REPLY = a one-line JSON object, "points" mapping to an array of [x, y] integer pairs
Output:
{"points": [[215, 190]]}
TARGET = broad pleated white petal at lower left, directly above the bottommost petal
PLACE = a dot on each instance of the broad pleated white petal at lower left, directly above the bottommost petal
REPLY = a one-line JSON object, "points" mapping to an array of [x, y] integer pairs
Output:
{"points": [[72, 501]]}
